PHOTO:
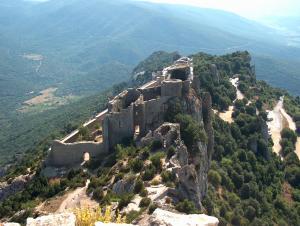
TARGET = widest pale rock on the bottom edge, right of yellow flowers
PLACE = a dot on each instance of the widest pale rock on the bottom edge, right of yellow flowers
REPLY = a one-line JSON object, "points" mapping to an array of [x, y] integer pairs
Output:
{"points": [[165, 218]]}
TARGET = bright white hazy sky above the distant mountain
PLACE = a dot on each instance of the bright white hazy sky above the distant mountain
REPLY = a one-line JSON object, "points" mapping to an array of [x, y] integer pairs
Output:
{"points": [[254, 9]]}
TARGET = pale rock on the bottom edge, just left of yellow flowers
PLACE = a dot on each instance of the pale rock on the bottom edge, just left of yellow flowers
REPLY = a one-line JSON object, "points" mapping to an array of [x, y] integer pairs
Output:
{"points": [[65, 219]]}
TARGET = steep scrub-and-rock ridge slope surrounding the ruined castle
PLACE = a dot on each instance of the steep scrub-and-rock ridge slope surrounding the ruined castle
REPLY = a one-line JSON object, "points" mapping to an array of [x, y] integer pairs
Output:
{"points": [[247, 183]]}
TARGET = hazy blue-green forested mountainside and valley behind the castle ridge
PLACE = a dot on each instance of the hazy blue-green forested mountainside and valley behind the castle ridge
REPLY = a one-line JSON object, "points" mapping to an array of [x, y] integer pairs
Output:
{"points": [[79, 48]]}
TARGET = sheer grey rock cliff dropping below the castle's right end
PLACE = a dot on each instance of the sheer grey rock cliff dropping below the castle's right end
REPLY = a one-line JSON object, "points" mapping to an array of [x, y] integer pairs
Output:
{"points": [[192, 169]]}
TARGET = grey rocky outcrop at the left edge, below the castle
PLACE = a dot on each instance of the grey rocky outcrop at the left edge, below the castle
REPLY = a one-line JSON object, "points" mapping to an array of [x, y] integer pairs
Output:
{"points": [[7, 189]]}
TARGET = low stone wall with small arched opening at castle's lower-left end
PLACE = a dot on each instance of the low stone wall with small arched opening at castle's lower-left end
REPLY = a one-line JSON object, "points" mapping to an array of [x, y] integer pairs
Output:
{"points": [[69, 154]]}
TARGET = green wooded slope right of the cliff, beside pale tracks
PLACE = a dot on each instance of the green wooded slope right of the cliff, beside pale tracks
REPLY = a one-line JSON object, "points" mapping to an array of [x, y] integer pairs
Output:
{"points": [[248, 181]]}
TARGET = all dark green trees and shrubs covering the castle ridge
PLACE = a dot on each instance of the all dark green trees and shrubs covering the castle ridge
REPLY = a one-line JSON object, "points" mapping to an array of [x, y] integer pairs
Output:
{"points": [[248, 183]]}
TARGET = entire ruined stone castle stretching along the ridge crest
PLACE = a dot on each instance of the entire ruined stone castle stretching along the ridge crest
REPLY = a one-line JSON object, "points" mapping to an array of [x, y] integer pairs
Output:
{"points": [[132, 113]]}
